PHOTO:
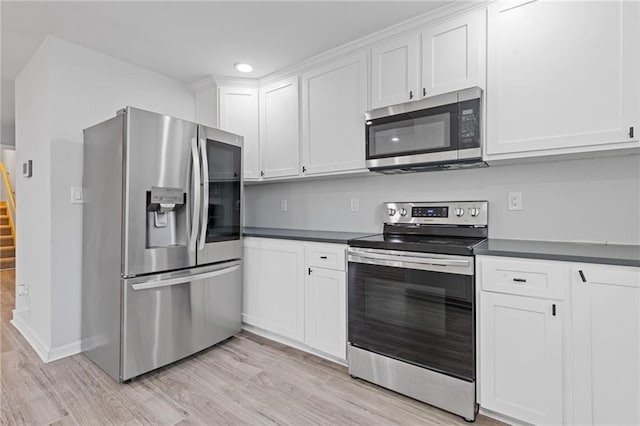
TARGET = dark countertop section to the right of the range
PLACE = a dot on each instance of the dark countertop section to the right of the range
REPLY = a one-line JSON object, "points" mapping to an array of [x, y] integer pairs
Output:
{"points": [[612, 254]]}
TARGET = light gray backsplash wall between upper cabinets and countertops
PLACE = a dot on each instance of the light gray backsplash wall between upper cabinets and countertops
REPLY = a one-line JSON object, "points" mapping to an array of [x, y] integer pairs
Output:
{"points": [[589, 200]]}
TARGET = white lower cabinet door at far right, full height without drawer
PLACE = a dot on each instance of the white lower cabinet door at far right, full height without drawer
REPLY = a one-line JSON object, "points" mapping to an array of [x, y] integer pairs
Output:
{"points": [[606, 345]]}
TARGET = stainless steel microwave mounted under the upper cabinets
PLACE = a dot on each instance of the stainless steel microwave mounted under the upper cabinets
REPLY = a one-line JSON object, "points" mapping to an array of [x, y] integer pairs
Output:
{"points": [[439, 132]]}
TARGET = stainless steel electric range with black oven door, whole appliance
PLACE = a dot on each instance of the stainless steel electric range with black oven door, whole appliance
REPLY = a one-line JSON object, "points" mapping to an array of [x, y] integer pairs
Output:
{"points": [[412, 302]]}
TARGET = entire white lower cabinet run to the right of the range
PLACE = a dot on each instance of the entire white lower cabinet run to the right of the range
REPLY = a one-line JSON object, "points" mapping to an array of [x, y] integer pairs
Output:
{"points": [[580, 366]]}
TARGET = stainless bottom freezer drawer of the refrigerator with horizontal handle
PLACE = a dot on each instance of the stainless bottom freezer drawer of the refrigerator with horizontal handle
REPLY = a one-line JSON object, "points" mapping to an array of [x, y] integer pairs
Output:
{"points": [[170, 316]]}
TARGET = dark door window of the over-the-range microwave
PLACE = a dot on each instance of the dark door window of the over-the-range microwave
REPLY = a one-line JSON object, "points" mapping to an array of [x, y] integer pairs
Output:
{"points": [[419, 132]]}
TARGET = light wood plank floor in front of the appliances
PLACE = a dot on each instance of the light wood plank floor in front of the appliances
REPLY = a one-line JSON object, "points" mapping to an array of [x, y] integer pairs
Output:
{"points": [[247, 380]]}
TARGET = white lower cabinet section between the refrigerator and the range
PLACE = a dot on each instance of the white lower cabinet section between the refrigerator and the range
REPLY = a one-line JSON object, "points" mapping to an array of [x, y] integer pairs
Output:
{"points": [[297, 290]]}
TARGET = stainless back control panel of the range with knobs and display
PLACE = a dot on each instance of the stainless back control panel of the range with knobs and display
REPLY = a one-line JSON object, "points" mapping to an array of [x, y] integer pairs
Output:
{"points": [[472, 213]]}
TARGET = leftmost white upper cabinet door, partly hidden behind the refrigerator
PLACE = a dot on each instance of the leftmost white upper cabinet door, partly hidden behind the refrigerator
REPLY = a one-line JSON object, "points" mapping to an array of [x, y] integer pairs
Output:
{"points": [[239, 114]]}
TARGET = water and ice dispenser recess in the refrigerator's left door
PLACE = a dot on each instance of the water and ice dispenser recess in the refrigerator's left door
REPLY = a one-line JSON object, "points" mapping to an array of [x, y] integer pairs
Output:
{"points": [[166, 211]]}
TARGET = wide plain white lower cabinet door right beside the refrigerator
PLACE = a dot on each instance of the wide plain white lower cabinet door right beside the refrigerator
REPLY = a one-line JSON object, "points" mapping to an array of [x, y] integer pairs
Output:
{"points": [[273, 297]]}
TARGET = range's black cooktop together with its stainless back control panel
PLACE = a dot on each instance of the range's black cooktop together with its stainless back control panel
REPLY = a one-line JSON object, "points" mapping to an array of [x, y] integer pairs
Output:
{"points": [[430, 227]]}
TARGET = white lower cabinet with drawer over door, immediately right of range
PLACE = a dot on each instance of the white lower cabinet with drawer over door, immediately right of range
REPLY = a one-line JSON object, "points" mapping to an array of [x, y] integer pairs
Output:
{"points": [[522, 323]]}
